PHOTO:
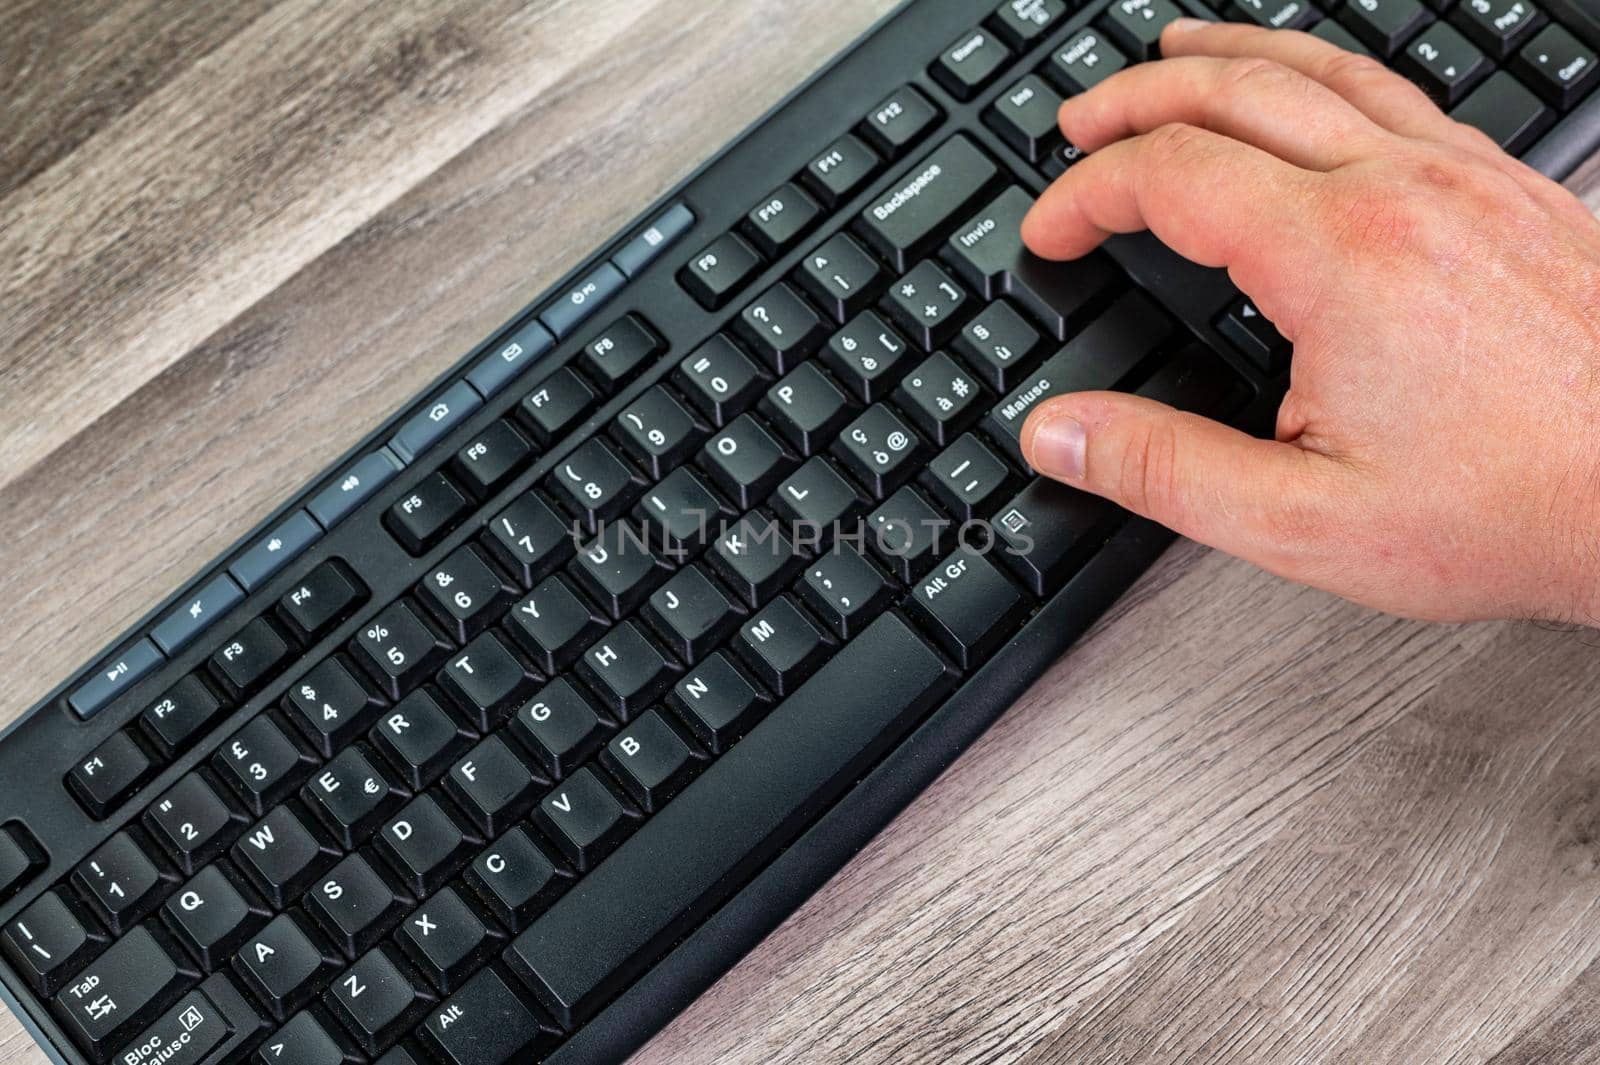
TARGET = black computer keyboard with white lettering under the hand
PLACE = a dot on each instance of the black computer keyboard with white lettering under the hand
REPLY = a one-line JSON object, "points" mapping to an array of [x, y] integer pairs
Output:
{"points": [[518, 728]]}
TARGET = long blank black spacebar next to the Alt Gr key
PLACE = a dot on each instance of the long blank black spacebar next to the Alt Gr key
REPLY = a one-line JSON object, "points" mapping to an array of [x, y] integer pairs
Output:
{"points": [[737, 816]]}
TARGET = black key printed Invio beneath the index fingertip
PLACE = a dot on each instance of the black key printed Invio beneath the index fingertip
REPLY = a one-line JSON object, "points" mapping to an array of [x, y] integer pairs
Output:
{"points": [[988, 253]]}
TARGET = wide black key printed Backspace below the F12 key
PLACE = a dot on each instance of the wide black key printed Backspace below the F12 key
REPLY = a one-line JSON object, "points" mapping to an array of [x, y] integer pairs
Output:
{"points": [[908, 220]]}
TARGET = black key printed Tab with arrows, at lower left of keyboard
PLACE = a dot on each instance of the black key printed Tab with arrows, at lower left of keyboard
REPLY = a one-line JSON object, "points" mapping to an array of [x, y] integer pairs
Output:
{"points": [[121, 992]]}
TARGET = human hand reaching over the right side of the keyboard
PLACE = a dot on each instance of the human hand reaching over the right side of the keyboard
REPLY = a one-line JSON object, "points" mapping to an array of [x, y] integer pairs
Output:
{"points": [[1438, 453]]}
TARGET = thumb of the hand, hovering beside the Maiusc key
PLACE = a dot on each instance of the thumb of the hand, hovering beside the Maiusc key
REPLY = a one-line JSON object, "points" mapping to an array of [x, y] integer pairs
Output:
{"points": [[1270, 503]]}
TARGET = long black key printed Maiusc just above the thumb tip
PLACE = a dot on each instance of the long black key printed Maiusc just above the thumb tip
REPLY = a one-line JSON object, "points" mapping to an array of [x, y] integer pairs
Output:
{"points": [[1100, 357]]}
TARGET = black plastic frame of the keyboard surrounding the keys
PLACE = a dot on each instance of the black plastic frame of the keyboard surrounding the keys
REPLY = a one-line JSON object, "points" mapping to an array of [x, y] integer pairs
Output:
{"points": [[897, 50]]}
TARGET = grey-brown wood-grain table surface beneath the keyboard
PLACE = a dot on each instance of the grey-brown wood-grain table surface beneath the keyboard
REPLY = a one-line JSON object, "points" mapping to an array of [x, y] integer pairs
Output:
{"points": [[1242, 821]]}
